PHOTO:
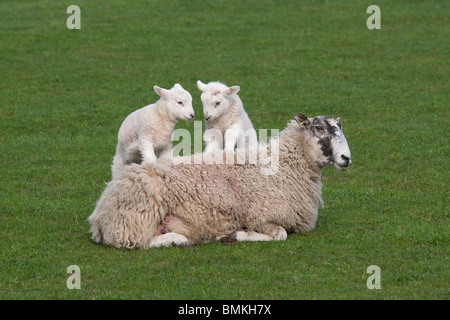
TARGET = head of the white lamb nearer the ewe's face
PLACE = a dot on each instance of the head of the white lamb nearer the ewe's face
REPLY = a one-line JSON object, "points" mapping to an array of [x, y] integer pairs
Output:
{"points": [[216, 98]]}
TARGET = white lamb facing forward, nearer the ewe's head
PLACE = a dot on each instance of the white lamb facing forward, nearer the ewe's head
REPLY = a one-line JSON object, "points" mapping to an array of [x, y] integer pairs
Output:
{"points": [[224, 111]]}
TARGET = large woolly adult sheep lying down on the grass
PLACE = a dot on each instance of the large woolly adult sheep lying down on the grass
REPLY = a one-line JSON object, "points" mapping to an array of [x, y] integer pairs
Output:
{"points": [[202, 203]]}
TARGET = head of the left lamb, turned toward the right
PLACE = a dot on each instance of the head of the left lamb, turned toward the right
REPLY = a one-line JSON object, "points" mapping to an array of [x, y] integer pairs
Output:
{"points": [[178, 101]]}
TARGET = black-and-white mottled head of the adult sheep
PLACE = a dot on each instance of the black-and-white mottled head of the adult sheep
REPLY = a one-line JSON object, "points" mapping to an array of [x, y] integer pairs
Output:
{"points": [[329, 136]]}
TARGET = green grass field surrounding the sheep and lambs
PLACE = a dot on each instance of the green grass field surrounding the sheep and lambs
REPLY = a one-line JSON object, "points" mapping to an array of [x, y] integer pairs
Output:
{"points": [[64, 94]]}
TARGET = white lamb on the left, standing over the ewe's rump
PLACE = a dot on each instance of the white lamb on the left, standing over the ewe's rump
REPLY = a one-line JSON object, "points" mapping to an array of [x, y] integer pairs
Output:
{"points": [[146, 133]]}
